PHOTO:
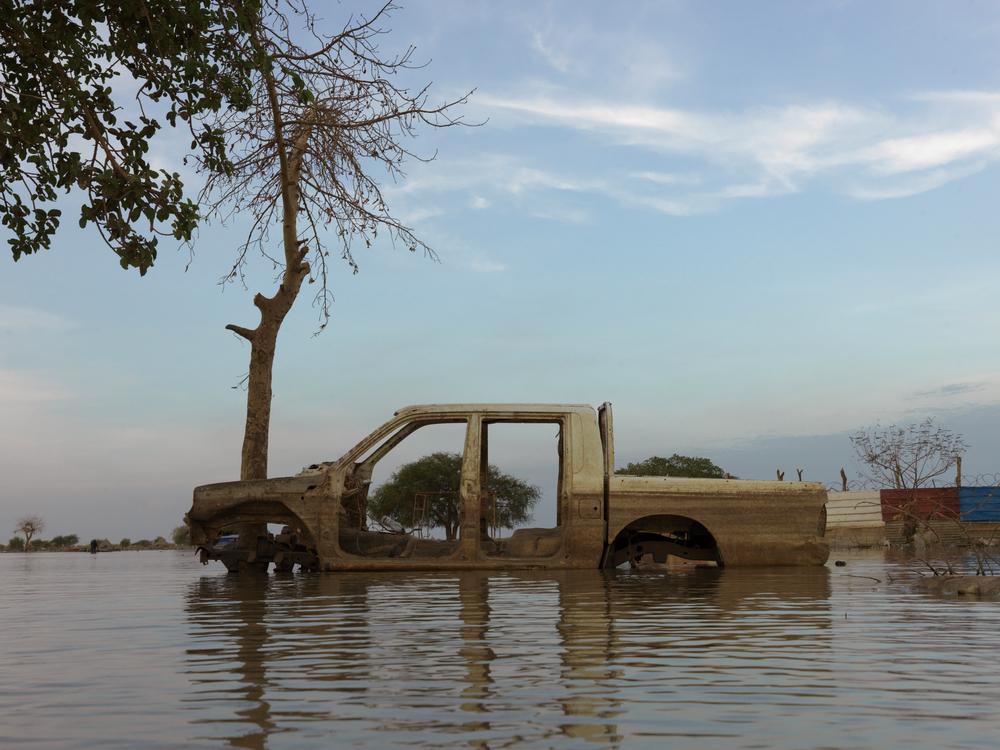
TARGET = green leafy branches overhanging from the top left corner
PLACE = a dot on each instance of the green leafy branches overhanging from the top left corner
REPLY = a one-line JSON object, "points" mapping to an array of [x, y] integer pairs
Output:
{"points": [[66, 67]]}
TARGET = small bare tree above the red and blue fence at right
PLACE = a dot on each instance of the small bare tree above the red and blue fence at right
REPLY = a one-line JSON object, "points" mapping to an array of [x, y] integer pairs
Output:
{"points": [[907, 457]]}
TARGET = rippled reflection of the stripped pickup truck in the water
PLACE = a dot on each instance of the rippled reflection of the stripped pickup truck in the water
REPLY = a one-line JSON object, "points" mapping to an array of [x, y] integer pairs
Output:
{"points": [[489, 660]]}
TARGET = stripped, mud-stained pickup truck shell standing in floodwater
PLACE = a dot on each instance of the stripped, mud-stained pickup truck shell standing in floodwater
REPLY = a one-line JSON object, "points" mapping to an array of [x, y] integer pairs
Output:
{"points": [[602, 519]]}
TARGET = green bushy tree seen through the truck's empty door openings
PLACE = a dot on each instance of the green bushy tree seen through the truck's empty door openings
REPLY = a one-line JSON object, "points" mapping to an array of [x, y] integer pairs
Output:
{"points": [[440, 474]]}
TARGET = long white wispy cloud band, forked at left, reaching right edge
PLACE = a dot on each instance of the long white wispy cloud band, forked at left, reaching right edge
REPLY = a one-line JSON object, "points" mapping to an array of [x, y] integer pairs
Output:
{"points": [[699, 161]]}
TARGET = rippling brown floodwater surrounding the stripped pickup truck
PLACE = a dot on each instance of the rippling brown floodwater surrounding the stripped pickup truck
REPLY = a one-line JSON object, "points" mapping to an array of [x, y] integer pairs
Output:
{"points": [[151, 650]]}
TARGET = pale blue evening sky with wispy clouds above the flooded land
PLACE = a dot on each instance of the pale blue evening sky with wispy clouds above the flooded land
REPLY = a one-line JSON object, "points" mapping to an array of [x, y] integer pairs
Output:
{"points": [[753, 228]]}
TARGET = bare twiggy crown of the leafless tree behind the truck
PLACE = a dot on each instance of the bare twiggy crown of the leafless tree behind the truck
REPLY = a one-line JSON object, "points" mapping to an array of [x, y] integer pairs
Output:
{"points": [[328, 116]]}
